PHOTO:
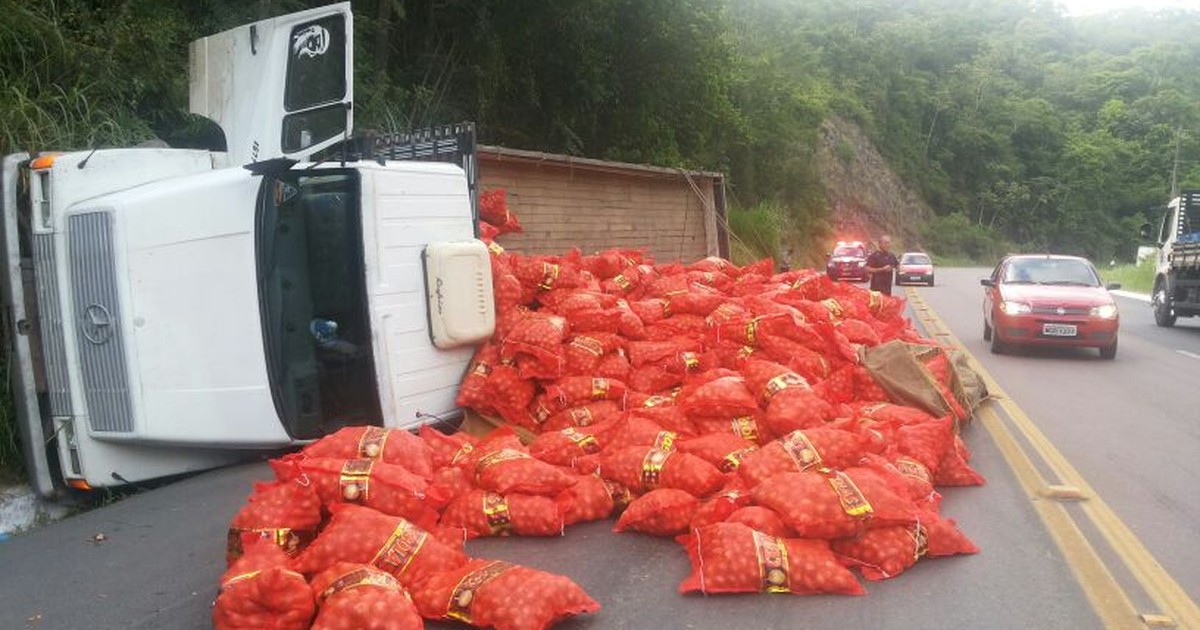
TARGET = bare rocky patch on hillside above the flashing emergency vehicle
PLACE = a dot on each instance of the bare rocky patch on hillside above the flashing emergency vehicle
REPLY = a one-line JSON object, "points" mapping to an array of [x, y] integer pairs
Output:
{"points": [[866, 197]]}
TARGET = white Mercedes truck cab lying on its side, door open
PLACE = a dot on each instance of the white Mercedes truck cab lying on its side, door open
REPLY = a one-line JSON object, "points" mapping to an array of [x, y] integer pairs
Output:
{"points": [[170, 310]]}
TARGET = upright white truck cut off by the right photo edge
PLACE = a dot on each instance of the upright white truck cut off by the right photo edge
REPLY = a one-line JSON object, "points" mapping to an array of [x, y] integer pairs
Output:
{"points": [[1178, 260]]}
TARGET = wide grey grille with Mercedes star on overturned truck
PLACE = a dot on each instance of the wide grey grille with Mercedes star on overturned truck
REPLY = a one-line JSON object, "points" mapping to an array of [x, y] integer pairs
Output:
{"points": [[98, 319]]}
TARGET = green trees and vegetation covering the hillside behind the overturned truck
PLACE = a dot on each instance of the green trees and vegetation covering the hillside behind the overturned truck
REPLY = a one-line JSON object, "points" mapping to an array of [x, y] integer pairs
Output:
{"points": [[1023, 129]]}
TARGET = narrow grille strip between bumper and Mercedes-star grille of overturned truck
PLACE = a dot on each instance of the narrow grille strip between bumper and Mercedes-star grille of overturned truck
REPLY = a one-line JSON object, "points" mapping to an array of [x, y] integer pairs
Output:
{"points": [[50, 321]]}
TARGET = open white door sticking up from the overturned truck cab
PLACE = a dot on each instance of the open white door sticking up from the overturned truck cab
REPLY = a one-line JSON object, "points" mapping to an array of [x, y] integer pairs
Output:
{"points": [[278, 88]]}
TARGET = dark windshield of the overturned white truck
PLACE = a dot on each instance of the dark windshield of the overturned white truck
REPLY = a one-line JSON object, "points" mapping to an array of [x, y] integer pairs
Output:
{"points": [[313, 295]]}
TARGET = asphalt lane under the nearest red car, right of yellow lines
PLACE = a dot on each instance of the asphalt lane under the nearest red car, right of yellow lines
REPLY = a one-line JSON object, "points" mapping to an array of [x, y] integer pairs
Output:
{"points": [[1131, 427]]}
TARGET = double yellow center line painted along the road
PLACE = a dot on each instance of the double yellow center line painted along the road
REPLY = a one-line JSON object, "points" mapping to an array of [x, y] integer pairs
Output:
{"points": [[1160, 586]]}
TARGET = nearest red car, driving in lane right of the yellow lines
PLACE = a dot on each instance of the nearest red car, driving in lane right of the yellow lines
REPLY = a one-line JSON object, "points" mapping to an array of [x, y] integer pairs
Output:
{"points": [[1049, 301]]}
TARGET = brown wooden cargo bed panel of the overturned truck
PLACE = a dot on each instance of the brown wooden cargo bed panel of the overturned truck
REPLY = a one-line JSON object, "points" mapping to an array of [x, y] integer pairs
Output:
{"points": [[566, 203]]}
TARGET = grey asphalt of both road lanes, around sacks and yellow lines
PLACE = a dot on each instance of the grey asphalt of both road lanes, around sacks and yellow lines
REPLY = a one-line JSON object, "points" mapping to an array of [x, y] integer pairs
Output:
{"points": [[1123, 423]]}
